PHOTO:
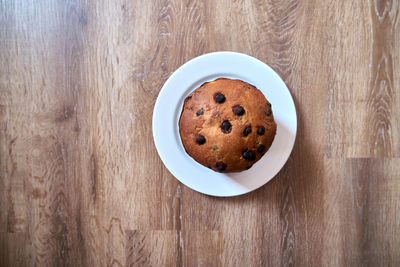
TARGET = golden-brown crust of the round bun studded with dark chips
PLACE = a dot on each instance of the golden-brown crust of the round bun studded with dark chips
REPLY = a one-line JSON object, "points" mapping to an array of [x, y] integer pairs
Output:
{"points": [[224, 151]]}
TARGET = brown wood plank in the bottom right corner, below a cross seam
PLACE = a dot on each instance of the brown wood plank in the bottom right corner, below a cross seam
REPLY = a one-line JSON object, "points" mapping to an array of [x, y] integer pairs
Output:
{"points": [[361, 213]]}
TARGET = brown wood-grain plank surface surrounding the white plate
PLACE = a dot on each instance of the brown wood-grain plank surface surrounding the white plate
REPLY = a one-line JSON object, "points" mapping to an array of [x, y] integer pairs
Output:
{"points": [[81, 183]]}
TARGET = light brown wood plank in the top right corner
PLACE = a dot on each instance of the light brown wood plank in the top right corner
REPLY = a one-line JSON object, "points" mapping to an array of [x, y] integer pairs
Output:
{"points": [[363, 105]]}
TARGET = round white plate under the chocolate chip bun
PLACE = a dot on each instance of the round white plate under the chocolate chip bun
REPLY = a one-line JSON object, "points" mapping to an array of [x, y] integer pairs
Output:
{"points": [[169, 106]]}
